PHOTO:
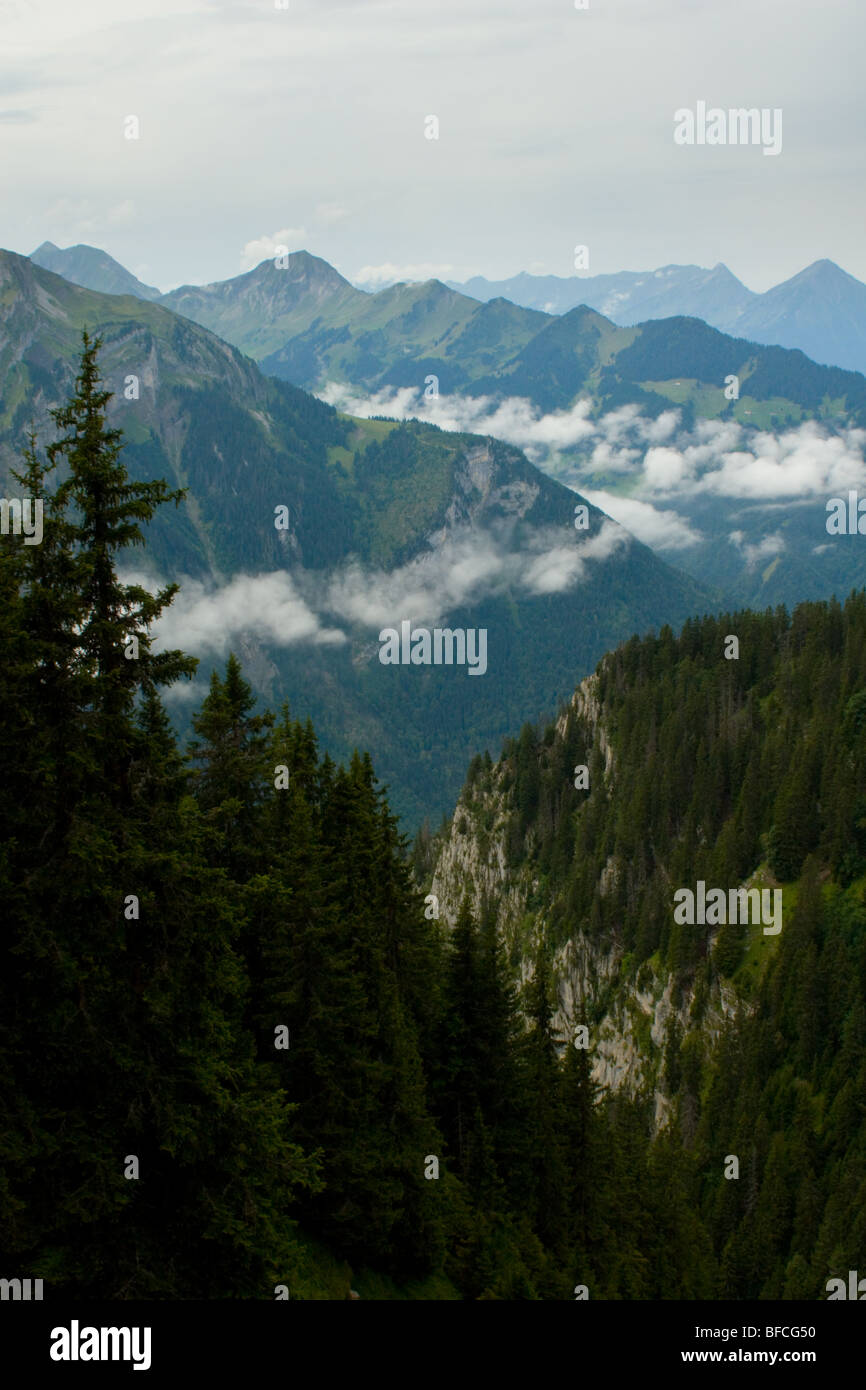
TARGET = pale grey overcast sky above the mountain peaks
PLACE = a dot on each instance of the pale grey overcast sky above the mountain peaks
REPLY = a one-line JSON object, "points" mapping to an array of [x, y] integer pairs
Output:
{"points": [[308, 126]]}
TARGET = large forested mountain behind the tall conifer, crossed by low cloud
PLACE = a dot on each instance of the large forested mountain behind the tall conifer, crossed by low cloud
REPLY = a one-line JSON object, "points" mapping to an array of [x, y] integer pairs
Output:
{"points": [[384, 523]]}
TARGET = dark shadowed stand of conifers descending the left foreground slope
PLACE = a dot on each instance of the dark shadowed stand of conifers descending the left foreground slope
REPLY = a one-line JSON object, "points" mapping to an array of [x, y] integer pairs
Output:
{"points": [[236, 1052]]}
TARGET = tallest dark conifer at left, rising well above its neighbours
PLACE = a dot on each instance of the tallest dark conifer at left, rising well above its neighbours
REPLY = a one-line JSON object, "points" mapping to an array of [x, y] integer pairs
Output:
{"points": [[142, 1156]]}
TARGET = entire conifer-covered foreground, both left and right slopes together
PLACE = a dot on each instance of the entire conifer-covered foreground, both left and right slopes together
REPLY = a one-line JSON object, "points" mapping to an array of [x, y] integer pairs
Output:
{"points": [[243, 1053]]}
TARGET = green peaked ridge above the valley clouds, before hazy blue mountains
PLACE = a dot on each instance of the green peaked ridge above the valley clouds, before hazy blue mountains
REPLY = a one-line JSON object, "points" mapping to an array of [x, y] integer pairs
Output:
{"points": [[307, 325]]}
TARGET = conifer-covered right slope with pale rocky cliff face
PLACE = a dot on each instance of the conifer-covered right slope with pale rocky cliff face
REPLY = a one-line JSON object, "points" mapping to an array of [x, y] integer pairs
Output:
{"points": [[746, 1045]]}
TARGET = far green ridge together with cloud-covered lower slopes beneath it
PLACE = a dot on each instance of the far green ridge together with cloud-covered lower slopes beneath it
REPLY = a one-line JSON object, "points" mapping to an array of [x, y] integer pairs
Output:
{"points": [[729, 483]]}
